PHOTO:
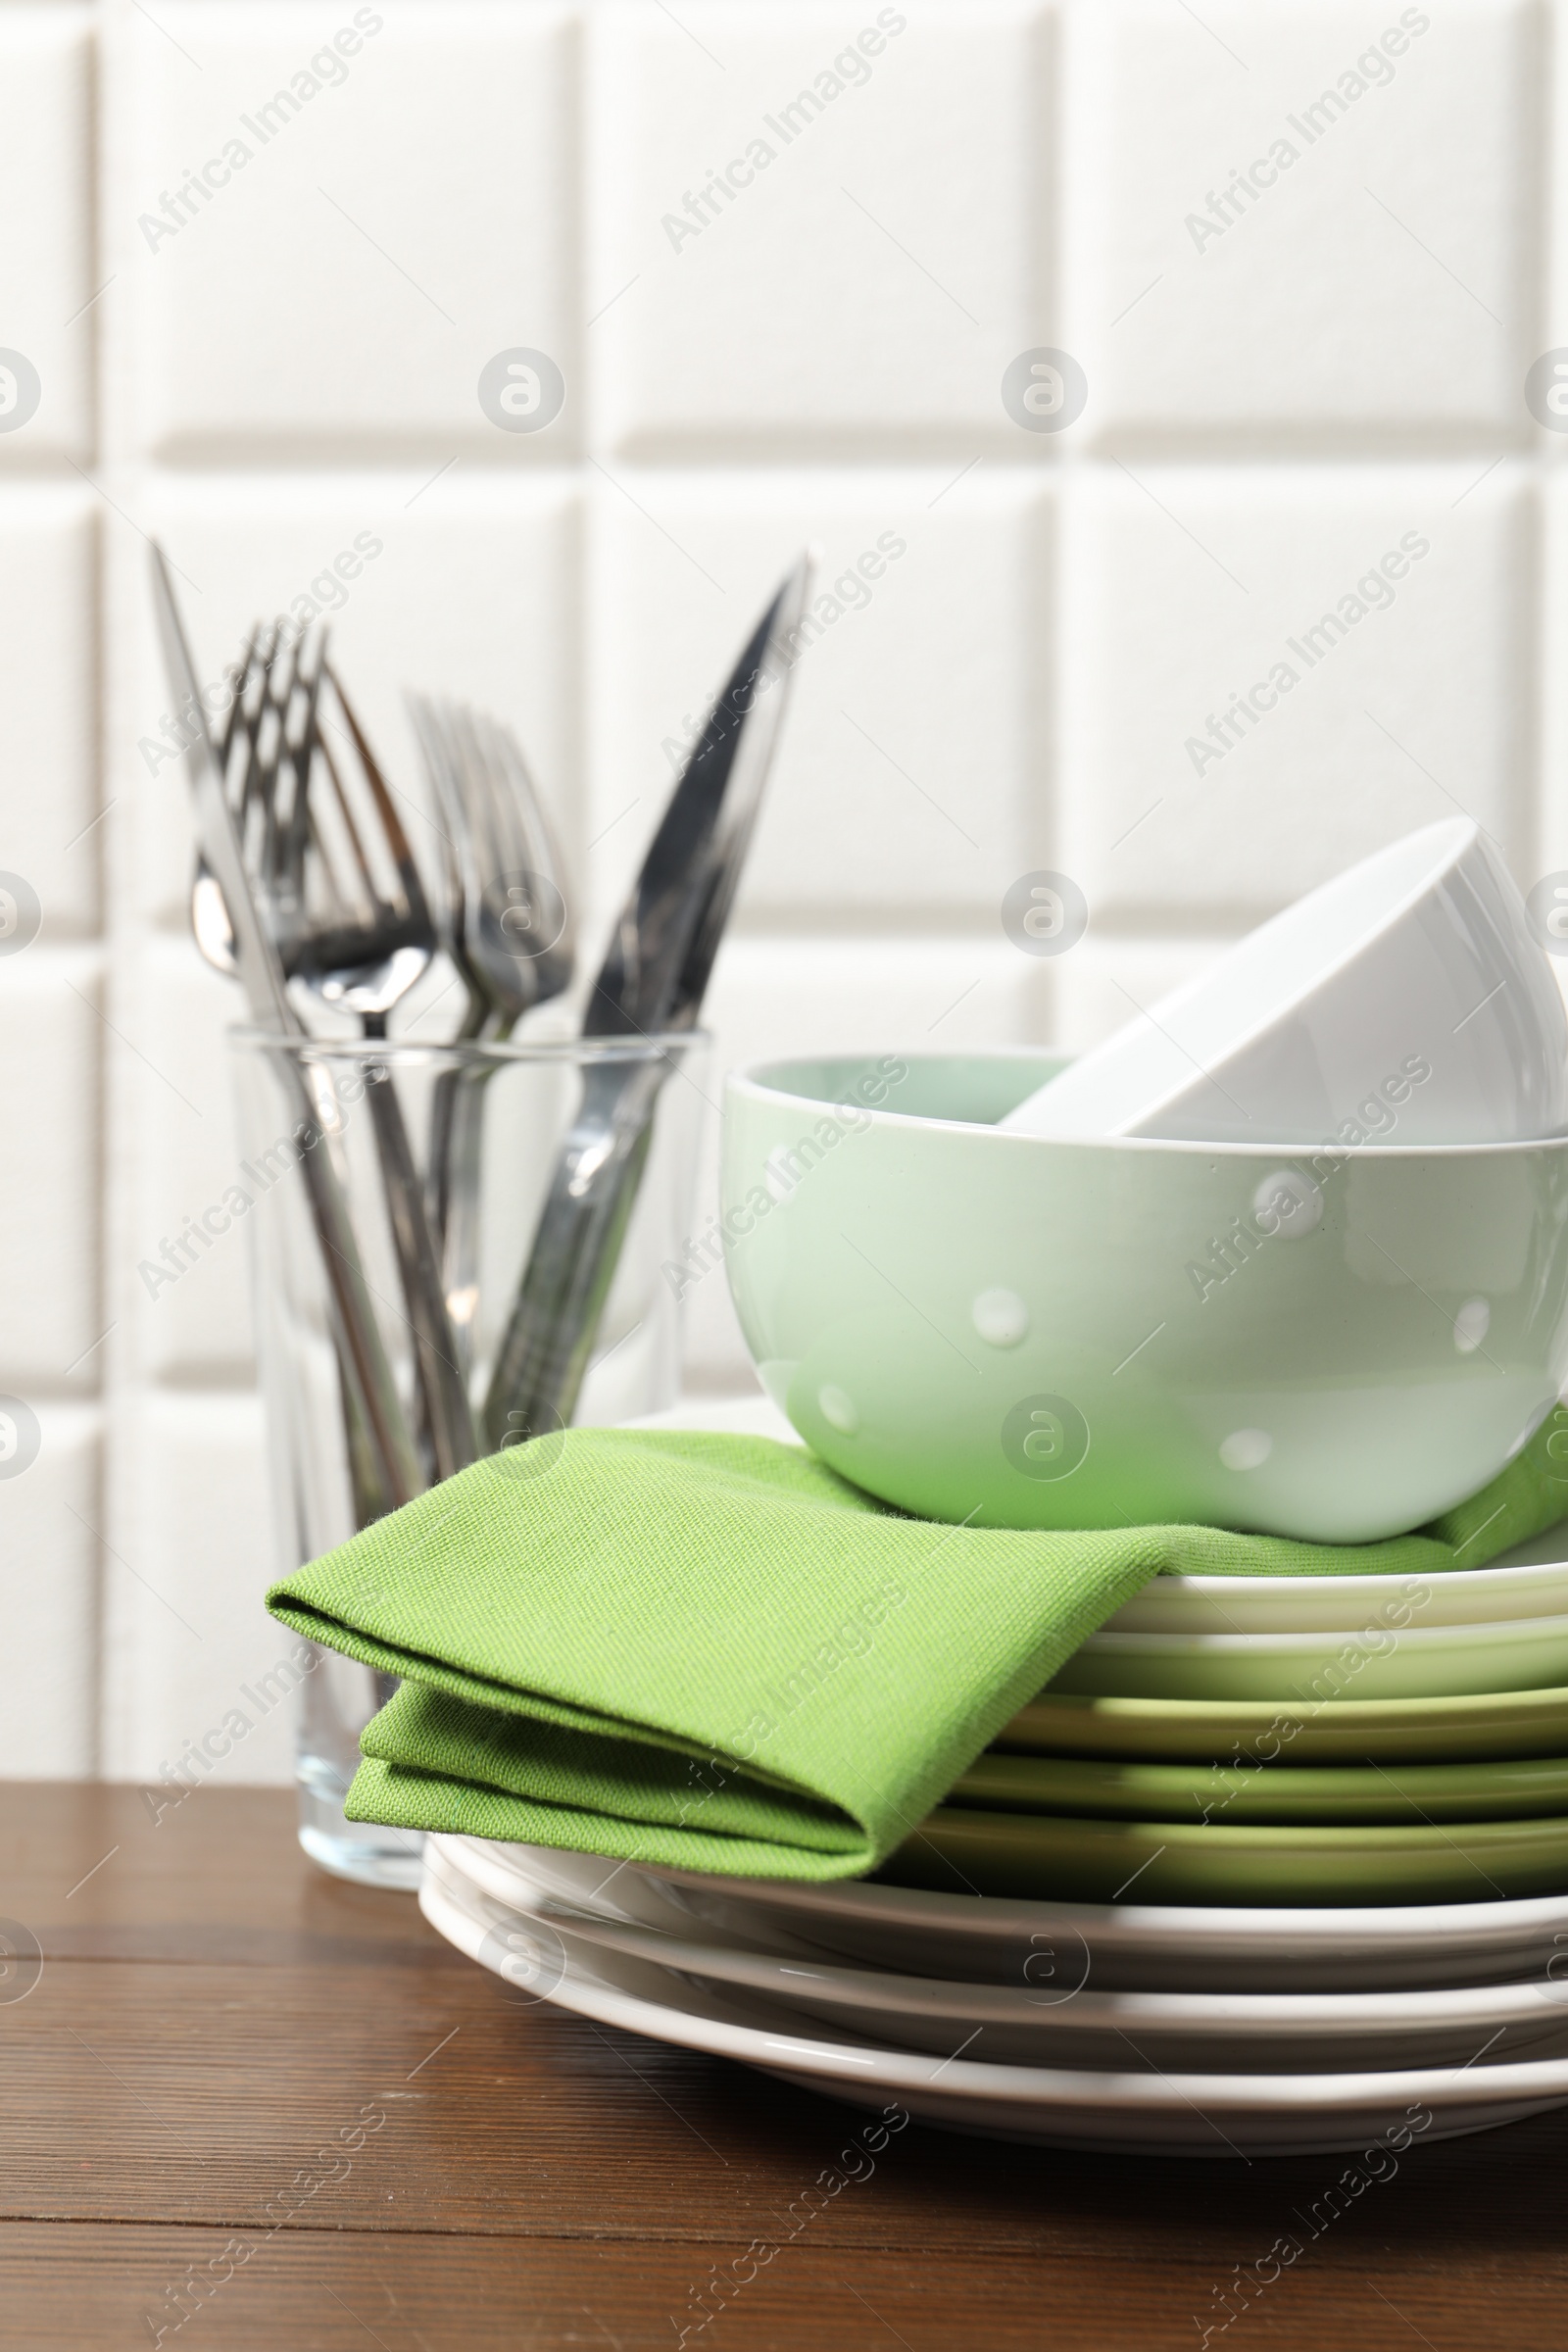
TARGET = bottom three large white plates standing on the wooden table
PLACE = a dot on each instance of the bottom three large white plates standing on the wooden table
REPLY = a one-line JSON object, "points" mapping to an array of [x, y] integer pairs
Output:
{"points": [[1092, 2026]]}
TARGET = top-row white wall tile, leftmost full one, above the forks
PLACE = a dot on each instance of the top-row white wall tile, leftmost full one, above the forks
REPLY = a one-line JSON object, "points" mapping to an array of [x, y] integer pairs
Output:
{"points": [[377, 211]]}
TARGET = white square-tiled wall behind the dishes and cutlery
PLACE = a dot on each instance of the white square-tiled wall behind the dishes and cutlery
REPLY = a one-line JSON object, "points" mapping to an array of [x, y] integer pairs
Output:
{"points": [[1287, 377]]}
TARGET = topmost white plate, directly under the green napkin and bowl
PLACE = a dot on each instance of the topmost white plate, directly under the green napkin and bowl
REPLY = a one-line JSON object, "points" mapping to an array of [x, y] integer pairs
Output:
{"points": [[1529, 1582]]}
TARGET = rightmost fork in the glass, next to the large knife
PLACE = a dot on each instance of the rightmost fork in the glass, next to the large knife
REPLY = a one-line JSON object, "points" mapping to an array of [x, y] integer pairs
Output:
{"points": [[511, 937]]}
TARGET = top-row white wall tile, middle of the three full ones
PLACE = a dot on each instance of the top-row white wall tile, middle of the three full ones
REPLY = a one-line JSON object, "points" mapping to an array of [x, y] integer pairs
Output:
{"points": [[815, 232]]}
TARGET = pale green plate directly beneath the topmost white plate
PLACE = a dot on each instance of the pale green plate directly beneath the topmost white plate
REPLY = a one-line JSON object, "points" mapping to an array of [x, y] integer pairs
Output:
{"points": [[1372, 1659]]}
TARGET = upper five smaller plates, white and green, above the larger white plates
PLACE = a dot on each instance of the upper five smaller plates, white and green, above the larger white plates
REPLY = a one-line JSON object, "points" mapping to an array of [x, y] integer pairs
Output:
{"points": [[1287, 1739]]}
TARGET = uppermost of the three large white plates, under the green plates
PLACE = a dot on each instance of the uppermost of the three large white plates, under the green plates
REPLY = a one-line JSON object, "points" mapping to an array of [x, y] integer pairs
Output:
{"points": [[996, 1942]]}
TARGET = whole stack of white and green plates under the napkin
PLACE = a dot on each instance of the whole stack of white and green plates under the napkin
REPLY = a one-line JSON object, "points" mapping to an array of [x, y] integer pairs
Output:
{"points": [[1200, 1923]]}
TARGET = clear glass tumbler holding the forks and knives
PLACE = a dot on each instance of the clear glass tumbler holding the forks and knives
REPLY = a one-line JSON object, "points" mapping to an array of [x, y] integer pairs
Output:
{"points": [[375, 1170]]}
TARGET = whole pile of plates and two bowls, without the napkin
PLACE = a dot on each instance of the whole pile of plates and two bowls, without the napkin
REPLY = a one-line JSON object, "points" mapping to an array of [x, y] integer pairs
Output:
{"points": [[1275, 1862]]}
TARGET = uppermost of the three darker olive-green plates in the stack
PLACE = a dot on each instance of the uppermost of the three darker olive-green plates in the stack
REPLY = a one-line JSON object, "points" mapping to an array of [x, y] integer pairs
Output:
{"points": [[1285, 1732]]}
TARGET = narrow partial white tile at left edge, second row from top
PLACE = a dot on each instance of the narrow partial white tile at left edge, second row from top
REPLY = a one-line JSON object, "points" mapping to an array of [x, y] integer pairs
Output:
{"points": [[51, 702]]}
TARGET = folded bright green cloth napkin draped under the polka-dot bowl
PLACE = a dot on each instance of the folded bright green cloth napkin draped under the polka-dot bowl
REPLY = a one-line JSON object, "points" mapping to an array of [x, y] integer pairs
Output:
{"points": [[713, 1652]]}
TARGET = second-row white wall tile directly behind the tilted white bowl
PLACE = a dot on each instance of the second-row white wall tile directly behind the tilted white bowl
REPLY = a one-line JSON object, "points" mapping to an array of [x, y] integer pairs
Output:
{"points": [[1376, 622]]}
